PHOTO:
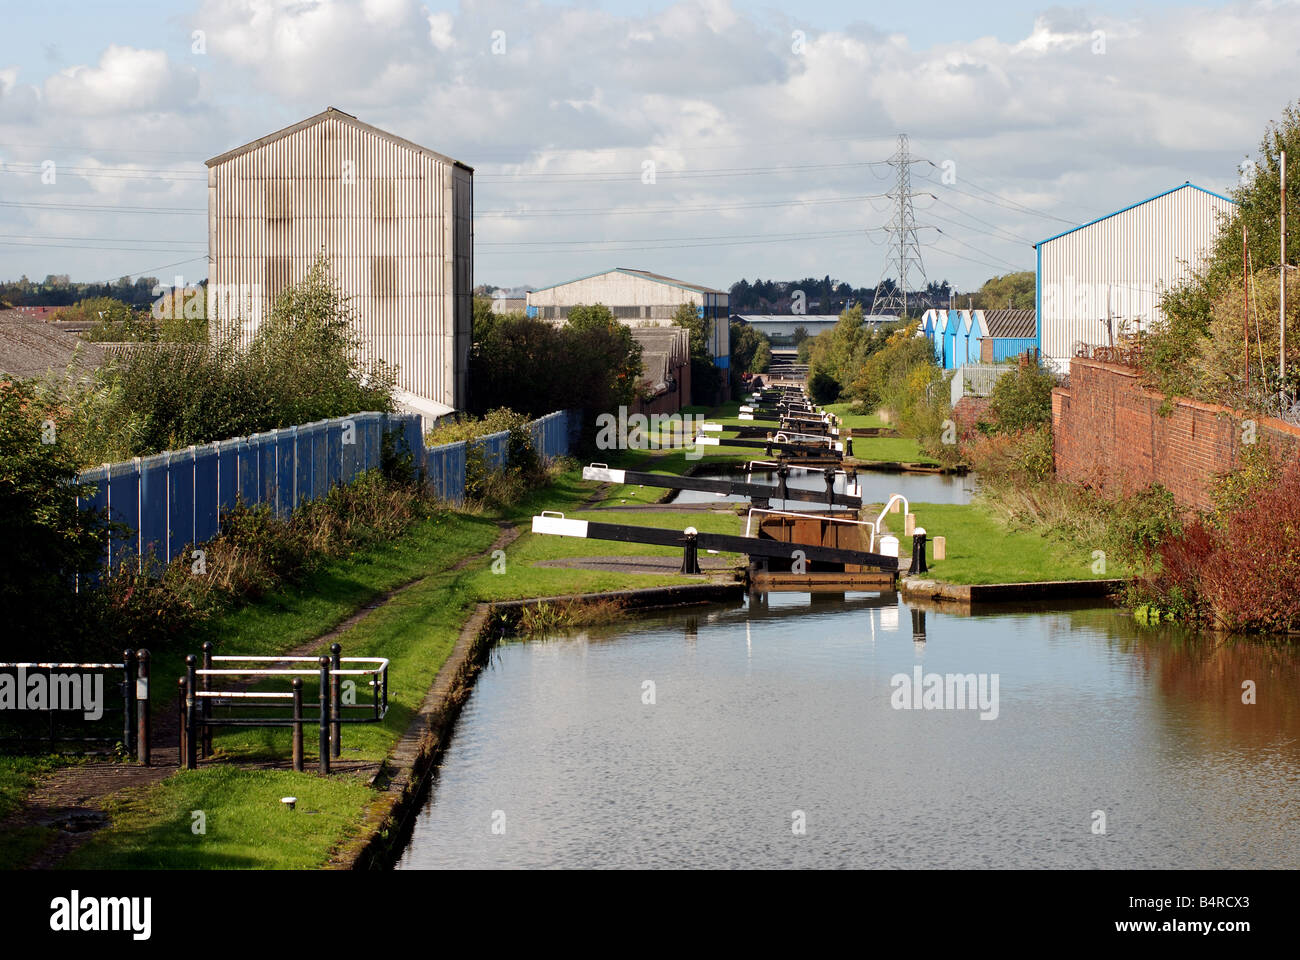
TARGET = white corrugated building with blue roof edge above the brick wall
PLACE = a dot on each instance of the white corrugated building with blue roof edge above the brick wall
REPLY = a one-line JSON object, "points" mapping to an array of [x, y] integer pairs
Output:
{"points": [[1104, 279]]}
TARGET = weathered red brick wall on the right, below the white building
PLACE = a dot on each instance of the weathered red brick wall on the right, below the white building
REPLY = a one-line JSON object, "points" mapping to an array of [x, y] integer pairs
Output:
{"points": [[1108, 434]]}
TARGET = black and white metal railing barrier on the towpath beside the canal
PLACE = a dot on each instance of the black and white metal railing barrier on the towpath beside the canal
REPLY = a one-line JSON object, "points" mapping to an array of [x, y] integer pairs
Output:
{"points": [[197, 700]]}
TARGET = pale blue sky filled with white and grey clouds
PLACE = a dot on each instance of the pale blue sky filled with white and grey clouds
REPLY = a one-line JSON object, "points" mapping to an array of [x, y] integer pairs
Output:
{"points": [[707, 140]]}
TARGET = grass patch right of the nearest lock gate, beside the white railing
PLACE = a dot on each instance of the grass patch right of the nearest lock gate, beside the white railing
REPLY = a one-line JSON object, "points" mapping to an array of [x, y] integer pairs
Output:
{"points": [[982, 551]]}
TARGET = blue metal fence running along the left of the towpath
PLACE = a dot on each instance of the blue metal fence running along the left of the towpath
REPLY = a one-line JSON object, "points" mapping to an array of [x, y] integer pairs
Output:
{"points": [[174, 500]]}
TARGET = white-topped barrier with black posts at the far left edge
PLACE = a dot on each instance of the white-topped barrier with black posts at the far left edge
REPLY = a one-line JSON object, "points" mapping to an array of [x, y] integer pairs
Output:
{"points": [[133, 690]]}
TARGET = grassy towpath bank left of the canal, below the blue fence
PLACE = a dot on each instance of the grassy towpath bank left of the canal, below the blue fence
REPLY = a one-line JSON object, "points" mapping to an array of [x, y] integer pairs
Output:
{"points": [[245, 821]]}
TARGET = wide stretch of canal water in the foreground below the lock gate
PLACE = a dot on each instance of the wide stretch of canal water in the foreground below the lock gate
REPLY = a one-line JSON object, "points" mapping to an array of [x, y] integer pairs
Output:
{"points": [[773, 734]]}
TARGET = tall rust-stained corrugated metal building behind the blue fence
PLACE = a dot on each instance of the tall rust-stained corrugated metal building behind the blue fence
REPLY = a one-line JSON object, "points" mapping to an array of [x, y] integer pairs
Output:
{"points": [[396, 220]]}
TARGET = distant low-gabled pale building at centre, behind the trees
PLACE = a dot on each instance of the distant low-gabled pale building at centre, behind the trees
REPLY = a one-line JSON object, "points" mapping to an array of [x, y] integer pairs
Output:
{"points": [[640, 299]]}
